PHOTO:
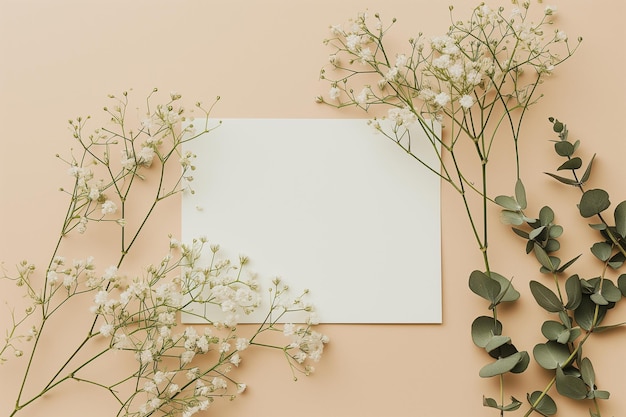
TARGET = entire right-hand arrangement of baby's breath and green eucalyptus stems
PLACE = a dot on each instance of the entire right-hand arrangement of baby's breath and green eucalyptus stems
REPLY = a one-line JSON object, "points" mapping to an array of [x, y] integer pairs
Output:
{"points": [[480, 80]]}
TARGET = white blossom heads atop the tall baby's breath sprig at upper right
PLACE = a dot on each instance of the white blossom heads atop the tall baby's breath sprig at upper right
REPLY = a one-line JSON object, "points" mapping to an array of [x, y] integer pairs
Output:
{"points": [[447, 75]]}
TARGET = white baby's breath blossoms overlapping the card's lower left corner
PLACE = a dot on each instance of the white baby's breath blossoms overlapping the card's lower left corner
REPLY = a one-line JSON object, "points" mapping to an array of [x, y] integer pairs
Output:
{"points": [[140, 317]]}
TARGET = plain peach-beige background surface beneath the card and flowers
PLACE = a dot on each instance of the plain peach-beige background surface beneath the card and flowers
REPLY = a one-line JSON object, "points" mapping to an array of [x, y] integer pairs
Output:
{"points": [[61, 58]]}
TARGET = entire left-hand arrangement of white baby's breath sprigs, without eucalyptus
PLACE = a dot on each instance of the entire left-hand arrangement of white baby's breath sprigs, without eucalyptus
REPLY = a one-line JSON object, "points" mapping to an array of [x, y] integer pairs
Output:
{"points": [[175, 372]]}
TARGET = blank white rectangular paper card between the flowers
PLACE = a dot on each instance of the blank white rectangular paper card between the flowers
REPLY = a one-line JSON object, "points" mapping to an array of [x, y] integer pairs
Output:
{"points": [[326, 204]]}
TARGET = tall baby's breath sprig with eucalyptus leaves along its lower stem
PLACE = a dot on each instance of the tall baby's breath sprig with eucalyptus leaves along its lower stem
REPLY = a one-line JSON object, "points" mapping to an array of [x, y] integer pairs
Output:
{"points": [[479, 80]]}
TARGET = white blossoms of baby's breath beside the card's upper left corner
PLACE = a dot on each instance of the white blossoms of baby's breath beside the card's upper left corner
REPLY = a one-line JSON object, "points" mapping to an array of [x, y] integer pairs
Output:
{"points": [[157, 138]]}
